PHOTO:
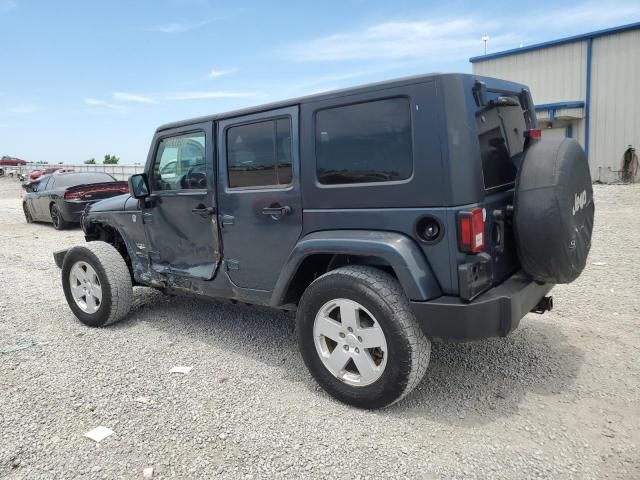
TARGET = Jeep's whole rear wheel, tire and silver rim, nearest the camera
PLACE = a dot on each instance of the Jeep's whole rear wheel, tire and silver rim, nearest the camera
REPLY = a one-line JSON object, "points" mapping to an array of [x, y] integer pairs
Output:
{"points": [[359, 338]]}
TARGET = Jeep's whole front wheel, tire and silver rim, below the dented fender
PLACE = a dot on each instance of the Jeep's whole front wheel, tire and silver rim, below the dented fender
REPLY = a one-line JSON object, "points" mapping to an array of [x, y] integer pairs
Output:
{"points": [[97, 284]]}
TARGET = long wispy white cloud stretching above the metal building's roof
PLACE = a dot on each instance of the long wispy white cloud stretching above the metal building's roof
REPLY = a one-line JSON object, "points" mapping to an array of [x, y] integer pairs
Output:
{"points": [[456, 37]]}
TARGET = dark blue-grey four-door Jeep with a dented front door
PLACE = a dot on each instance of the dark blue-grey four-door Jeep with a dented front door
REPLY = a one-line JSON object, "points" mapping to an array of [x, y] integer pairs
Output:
{"points": [[385, 216]]}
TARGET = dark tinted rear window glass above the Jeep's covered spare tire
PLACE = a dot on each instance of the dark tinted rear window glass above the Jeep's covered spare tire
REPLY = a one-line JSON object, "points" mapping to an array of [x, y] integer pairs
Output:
{"points": [[501, 128]]}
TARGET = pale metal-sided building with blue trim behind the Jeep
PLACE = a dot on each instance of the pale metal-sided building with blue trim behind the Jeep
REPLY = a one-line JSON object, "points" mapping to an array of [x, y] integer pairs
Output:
{"points": [[586, 87]]}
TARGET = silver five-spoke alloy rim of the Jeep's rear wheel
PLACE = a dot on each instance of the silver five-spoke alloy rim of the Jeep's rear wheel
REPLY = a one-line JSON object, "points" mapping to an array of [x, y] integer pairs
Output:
{"points": [[350, 342]]}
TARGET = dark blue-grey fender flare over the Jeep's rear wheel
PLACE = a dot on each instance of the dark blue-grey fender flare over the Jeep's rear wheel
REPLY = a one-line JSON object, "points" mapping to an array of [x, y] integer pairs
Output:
{"points": [[320, 252]]}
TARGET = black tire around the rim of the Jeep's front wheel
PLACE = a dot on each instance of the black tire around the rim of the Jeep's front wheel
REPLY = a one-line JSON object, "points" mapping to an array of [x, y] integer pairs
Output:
{"points": [[114, 277]]}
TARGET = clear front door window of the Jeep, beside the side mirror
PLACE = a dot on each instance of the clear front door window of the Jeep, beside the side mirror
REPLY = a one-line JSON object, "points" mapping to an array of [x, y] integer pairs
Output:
{"points": [[180, 163]]}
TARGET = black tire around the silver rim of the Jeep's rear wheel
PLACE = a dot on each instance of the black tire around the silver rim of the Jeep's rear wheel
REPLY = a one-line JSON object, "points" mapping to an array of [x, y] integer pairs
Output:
{"points": [[408, 349]]}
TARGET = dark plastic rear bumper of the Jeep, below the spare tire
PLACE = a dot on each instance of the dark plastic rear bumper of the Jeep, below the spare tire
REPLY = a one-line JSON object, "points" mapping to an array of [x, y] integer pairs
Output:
{"points": [[495, 313]]}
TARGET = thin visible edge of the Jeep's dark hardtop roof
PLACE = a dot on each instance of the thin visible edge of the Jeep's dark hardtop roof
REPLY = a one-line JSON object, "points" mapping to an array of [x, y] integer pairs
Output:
{"points": [[315, 97]]}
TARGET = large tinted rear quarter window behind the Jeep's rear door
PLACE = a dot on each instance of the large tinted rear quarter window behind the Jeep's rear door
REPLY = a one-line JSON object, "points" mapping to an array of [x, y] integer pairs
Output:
{"points": [[365, 142]]}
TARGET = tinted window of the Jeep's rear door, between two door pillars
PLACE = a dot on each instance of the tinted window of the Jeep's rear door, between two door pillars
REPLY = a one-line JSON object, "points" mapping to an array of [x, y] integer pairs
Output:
{"points": [[259, 154]]}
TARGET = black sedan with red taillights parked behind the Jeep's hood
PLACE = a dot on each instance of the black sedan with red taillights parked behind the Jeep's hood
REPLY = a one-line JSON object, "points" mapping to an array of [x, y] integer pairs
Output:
{"points": [[60, 198]]}
